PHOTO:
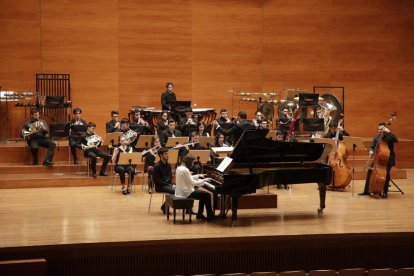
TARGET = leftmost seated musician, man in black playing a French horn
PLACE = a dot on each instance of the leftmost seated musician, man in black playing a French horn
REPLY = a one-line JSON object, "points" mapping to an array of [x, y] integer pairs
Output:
{"points": [[35, 132]]}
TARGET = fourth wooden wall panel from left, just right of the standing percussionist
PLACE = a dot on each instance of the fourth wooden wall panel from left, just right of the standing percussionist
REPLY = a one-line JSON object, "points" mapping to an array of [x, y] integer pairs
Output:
{"points": [[227, 52]]}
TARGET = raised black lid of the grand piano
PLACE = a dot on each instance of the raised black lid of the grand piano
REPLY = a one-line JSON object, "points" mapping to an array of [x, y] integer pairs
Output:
{"points": [[254, 147]]}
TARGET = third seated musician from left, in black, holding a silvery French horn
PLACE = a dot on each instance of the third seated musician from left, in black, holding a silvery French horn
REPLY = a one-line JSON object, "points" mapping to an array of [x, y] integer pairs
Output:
{"points": [[90, 143]]}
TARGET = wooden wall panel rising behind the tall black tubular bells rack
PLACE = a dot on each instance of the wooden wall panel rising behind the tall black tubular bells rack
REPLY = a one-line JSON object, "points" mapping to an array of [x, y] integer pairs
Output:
{"points": [[81, 38]]}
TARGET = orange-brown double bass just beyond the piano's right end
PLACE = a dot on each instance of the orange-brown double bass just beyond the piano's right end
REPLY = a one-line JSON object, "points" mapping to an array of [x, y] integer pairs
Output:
{"points": [[342, 175]]}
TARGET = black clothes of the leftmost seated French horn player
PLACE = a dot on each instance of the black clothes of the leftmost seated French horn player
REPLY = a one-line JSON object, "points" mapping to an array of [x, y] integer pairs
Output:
{"points": [[39, 139]]}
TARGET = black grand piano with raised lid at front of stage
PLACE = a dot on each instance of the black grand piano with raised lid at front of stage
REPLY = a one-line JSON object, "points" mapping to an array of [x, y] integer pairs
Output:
{"points": [[259, 162]]}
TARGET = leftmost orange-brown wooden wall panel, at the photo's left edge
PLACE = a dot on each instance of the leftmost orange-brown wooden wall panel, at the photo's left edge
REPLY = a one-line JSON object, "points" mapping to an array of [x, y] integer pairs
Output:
{"points": [[19, 56]]}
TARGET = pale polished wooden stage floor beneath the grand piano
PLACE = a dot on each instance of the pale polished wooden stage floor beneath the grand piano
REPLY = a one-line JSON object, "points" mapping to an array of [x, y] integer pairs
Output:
{"points": [[77, 215]]}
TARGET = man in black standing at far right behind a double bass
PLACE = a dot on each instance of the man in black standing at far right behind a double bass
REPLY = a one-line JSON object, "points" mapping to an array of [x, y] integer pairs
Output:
{"points": [[390, 139]]}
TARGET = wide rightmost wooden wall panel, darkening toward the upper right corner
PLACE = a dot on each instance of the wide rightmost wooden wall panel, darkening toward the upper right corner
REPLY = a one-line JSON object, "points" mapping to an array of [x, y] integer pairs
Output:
{"points": [[356, 44]]}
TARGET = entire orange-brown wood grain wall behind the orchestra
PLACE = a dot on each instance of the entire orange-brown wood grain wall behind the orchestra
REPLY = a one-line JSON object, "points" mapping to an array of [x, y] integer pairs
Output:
{"points": [[122, 52]]}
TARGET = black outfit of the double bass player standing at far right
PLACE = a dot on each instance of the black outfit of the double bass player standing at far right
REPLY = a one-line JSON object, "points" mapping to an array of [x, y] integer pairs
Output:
{"points": [[390, 139]]}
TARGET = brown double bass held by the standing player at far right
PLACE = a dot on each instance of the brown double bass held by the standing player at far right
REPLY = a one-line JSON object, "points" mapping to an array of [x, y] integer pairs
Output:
{"points": [[379, 162]]}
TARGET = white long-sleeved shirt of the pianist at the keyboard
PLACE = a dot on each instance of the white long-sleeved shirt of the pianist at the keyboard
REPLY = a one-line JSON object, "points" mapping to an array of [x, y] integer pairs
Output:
{"points": [[185, 182]]}
